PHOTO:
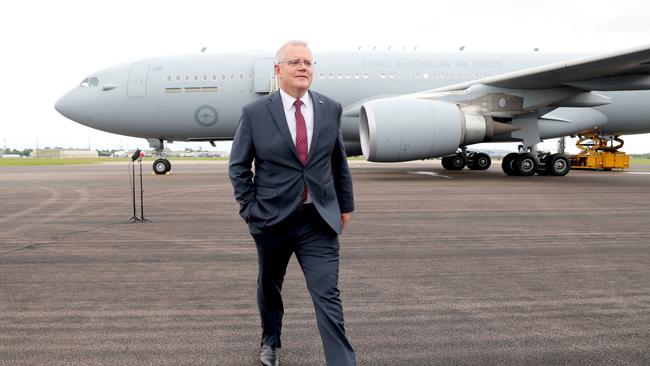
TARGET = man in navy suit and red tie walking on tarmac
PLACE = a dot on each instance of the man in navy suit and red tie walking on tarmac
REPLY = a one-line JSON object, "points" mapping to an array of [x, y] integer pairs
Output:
{"points": [[298, 199]]}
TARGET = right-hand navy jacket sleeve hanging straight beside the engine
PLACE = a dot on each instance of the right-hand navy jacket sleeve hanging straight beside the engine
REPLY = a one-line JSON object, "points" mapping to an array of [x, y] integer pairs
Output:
{"points": [[341, 172]]}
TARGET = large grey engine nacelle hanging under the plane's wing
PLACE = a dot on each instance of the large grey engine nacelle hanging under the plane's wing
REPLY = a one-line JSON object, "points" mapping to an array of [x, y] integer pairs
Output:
{"points": [[396, 129]]}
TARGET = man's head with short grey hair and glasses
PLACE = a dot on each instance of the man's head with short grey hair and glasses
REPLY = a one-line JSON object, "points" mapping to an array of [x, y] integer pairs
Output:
{"points": [[295, 79]]}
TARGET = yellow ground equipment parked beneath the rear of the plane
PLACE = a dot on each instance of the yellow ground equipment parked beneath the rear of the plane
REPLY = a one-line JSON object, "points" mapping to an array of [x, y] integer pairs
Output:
{"points": [[600, 153]]}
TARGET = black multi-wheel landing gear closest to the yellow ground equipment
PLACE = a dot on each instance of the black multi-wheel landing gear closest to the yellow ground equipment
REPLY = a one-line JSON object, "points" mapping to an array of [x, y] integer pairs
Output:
{"points": [[527, 162]]}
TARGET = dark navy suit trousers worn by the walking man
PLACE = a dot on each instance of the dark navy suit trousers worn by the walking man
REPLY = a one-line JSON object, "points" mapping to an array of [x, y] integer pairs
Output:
{"points": [[316, 247]]}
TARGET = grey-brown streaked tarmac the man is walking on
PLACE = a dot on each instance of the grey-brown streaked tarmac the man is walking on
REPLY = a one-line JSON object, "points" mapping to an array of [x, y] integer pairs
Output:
{"points": [[437, 268]]}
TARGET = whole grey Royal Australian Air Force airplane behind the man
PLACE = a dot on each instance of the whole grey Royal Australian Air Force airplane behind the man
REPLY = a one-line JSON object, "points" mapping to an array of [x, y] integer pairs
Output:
{"points": [[397, 106]]}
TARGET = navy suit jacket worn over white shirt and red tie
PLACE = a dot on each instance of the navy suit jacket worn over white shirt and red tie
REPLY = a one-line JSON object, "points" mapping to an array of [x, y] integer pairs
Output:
{"points": [[273, 192]]}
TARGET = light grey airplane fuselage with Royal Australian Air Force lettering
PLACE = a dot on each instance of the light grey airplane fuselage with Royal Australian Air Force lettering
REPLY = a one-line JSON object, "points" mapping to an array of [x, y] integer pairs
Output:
{"points": [[199, 97]]}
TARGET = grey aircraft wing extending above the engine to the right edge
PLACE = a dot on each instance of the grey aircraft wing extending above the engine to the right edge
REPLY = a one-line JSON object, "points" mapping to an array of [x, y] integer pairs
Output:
{"points": [[621, 70]]}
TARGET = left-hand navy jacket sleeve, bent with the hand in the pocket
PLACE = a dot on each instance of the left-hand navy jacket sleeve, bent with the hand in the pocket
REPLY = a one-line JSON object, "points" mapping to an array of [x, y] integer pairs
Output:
{"points": [[242, 155]]}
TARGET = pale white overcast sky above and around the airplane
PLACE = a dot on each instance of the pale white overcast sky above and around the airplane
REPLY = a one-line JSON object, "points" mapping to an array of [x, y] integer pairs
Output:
{"points": [[48, 47]]}
